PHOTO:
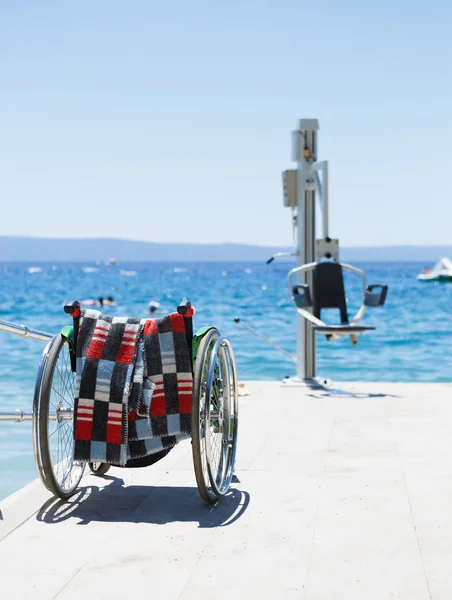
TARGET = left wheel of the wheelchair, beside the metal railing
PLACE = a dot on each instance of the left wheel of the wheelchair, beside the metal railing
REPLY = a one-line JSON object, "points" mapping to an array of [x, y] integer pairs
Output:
{"points": [[53, 413]]}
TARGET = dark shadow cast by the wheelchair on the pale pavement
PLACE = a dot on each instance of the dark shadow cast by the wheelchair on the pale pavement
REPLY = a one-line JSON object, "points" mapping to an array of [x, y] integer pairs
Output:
{"points": [[144, 504]]}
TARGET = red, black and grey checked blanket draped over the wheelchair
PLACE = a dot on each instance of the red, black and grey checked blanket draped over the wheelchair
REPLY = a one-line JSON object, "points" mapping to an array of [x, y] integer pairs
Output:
{"points": [[133, 387]]}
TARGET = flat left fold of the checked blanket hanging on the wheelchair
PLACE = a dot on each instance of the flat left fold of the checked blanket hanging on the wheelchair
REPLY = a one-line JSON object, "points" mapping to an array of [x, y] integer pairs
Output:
{"points": [[106, 349]]}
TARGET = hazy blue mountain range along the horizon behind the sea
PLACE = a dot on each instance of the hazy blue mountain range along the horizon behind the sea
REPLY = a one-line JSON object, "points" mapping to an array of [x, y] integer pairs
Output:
{"points": [[92, 249]]}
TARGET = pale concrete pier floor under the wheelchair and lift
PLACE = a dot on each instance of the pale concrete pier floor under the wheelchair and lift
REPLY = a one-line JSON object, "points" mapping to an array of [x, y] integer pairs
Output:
{"points": [[341, 494]]}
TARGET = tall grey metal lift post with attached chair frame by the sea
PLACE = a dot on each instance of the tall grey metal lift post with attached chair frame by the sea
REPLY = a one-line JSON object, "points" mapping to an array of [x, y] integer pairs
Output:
{"points": [[317, 280]]}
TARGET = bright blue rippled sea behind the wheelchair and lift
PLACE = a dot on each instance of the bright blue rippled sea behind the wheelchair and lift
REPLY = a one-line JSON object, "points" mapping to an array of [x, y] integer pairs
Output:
{"points": [[412, 341]]}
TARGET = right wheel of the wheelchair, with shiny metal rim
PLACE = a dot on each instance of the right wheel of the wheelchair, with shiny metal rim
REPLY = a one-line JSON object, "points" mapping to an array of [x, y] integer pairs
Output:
{"points": [[214, 416]]}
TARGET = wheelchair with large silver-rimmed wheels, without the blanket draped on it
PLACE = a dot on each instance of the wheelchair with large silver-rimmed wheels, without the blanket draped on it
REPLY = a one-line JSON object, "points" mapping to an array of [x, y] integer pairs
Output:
{"points": [[214, 412]]}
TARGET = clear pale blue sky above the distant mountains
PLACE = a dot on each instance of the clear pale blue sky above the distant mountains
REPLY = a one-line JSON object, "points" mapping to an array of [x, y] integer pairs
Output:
{"points": [[172, 121]]}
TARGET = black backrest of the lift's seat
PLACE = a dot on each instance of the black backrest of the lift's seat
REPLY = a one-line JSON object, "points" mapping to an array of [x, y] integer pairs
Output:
{"points": [[328, 289]]}
